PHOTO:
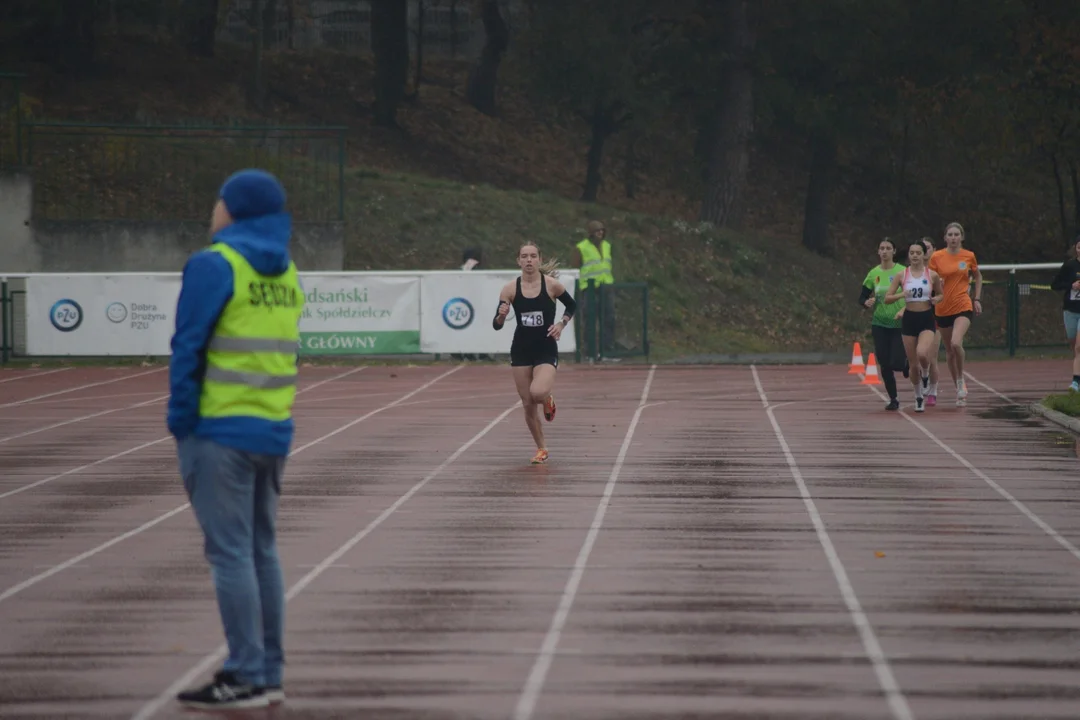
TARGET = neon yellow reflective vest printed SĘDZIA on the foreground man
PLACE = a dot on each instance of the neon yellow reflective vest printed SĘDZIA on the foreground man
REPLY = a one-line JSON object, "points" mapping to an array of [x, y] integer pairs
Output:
{"points": [[251, 360]]}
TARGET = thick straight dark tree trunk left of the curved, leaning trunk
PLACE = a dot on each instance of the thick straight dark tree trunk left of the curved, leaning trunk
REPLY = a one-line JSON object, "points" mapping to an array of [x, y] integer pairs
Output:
{"points": [[390, 48]]}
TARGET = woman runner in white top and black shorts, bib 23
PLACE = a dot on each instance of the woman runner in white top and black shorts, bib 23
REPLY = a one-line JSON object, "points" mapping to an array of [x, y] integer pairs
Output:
{"points": [[920, 288]]}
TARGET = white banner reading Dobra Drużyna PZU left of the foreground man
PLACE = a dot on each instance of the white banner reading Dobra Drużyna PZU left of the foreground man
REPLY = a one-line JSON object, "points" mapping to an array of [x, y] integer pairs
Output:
{"points": [[101, 315]]}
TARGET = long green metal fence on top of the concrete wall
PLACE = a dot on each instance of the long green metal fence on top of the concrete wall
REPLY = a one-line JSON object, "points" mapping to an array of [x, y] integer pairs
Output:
{"points": [[101, 172]]}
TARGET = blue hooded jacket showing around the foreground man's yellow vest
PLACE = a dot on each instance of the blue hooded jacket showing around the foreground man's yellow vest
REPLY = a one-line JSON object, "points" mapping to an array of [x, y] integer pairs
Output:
{"points": [[208, 287]]}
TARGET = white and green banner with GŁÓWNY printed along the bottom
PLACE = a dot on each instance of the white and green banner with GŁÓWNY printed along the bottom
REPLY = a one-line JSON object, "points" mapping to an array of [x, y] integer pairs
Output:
{"points": [[360, 315]]}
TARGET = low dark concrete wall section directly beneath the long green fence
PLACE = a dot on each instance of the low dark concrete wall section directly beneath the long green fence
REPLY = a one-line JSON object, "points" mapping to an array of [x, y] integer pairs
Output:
{"points": [[132, 246]]}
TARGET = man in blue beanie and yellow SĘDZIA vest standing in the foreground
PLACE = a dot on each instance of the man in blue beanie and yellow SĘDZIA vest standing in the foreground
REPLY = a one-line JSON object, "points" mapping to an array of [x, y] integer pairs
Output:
{"points": [[233, 383]]}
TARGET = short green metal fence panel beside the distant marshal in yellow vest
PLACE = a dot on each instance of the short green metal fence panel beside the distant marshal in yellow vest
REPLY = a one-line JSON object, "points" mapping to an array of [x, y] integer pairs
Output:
{"points": [[613, 321]]}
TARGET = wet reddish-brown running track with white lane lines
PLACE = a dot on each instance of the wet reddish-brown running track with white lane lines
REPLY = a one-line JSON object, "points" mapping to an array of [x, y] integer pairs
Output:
{"points": [[705, 544]]}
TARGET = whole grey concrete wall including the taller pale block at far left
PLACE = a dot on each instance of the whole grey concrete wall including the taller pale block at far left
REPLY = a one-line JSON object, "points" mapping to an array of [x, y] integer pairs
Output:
{"points": [[38, 246]]}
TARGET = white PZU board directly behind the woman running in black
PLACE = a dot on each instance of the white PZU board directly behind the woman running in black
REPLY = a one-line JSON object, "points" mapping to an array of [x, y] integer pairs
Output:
{"points": [[458, 308]]}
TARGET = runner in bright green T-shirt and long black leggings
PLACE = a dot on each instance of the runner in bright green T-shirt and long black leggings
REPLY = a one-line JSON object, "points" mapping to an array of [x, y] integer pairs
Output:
{"points": [[885, 324]]}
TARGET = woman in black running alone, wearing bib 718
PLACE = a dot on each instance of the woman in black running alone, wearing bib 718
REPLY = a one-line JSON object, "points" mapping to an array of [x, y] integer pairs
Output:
{"points": [[534, 354]]}
